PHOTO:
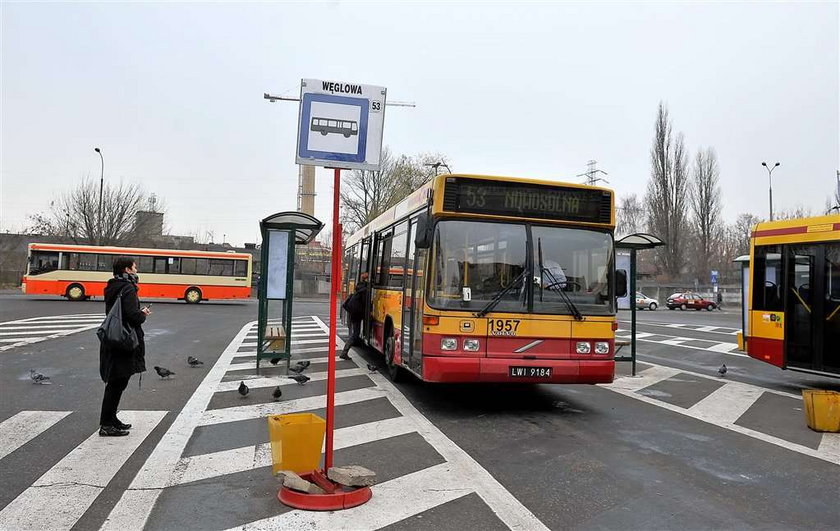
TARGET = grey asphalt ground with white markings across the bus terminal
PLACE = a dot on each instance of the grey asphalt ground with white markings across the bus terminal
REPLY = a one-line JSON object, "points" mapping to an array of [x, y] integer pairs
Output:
{"points": [[675, 447]]}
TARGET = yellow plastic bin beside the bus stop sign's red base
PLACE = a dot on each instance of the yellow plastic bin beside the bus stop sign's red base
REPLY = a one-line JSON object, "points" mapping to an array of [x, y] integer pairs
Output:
{"points": [[296, 441]]}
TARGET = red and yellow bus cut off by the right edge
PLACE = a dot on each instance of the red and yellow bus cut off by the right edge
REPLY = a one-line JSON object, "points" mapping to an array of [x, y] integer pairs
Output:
{"points": [[794, 302]]}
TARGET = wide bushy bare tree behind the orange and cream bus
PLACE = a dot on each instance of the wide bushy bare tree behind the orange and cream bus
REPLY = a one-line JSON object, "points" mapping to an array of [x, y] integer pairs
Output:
{"points": [[75, 215]]}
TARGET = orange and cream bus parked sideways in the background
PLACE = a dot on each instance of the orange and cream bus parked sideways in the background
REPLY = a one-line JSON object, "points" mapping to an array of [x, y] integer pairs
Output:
{"points": [[78, 272]]}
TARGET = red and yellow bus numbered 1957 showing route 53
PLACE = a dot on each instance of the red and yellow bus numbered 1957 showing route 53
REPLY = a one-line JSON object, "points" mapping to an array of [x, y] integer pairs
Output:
{"points": [[492, 279]]}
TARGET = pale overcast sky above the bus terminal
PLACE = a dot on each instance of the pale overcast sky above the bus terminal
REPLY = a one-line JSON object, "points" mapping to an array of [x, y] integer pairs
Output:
{"points": [[173, 96]]}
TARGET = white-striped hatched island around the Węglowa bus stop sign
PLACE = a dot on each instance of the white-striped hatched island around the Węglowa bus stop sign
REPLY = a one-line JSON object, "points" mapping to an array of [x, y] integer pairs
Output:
{"points": [[220, 441]]}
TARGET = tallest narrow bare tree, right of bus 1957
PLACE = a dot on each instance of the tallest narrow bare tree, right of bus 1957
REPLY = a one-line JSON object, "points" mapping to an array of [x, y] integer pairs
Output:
{"points": [[667, 193]]}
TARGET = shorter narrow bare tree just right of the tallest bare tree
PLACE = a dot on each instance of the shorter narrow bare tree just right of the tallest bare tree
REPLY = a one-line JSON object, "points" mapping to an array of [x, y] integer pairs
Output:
{"points": [[705, 206]]}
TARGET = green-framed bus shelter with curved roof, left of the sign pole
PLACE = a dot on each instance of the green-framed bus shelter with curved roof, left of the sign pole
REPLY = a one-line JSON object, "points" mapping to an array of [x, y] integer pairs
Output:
{"points": [[280, 233]]}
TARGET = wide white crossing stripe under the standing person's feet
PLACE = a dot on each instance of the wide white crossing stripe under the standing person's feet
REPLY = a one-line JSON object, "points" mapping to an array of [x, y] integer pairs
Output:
{"points": [[62, 495]]}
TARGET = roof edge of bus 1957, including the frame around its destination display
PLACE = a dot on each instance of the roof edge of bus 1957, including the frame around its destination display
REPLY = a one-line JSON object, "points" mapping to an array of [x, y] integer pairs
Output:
{"points": [[418, 199]]}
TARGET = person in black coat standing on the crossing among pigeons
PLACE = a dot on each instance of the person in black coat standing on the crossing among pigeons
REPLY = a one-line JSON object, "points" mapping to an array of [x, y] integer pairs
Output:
{"points": [[116, 366]]}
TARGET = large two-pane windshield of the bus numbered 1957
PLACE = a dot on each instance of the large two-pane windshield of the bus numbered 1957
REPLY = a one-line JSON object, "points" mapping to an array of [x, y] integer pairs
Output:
{"points": [[567, 269]]}
